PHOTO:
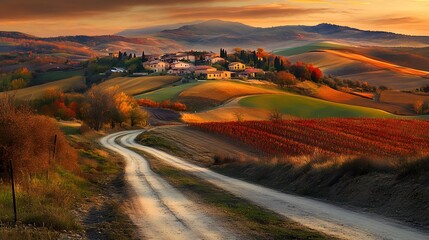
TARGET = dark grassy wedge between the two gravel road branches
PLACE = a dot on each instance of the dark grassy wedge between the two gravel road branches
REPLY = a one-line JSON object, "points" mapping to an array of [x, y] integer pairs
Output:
{"points": [[254, 221]]}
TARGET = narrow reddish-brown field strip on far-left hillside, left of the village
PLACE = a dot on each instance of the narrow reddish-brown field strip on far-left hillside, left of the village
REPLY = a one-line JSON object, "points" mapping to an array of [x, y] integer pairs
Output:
{"points": [[35, 92]]}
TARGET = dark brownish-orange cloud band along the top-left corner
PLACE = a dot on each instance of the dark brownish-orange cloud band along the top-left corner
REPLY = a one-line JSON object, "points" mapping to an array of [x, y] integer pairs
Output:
{"points": [[31, 9]]}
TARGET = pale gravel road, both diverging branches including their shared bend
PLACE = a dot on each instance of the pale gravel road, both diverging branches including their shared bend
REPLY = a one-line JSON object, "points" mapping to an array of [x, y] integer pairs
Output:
{"points": [[169, 213]]}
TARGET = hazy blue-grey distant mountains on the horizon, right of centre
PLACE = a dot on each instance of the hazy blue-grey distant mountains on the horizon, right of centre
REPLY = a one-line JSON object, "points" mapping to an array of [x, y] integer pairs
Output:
{"points": [[213, 34]]}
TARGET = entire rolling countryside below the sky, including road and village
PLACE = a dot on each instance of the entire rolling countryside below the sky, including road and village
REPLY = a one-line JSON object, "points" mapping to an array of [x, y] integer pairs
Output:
{"points": [[215, 129]]}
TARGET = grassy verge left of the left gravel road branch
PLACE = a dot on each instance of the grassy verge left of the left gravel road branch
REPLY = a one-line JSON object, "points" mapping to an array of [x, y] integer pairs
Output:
{"points": [[70, 205]]}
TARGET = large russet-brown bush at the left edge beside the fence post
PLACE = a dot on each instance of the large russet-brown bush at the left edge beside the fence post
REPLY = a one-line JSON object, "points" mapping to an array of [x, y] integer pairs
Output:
{"points": [[27, 139]]}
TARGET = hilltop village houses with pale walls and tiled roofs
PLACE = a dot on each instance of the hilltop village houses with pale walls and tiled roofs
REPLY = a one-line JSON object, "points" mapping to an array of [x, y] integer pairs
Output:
{"points": [[202, 66]]}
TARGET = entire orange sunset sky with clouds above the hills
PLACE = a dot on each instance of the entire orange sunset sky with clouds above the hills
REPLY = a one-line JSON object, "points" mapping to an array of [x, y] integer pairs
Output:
{"points": [[98, 17]]}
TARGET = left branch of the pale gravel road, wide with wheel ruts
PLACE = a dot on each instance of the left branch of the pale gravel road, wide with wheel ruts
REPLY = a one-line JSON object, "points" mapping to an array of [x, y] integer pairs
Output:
{"points": [[161, 211]]}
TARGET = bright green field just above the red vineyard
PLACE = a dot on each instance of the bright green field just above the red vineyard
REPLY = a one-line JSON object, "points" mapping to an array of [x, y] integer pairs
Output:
{"points": [[307, 107]]}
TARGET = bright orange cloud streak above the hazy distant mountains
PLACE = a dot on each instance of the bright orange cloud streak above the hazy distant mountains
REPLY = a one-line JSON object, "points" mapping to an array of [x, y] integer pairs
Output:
{"points": [[242, 12]]}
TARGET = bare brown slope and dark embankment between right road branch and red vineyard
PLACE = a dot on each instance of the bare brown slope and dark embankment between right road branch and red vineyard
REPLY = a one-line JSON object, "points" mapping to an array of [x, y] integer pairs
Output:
{"points": [[361, 185]]}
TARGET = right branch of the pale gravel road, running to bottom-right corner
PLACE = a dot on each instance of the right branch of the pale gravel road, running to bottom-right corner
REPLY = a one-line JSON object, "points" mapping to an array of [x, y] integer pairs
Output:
{"points": [[323, 217]]}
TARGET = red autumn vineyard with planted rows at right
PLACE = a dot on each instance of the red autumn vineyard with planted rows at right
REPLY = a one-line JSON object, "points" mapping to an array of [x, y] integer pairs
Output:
{"points": [[357, 137]]}
